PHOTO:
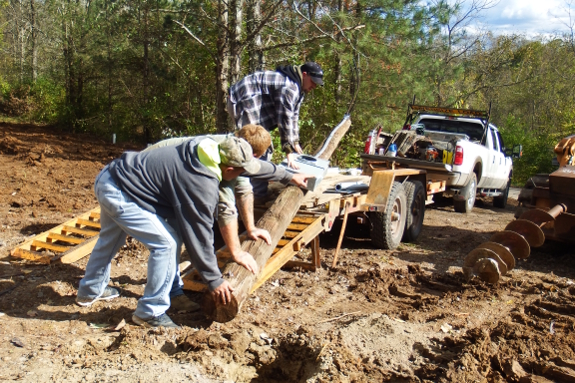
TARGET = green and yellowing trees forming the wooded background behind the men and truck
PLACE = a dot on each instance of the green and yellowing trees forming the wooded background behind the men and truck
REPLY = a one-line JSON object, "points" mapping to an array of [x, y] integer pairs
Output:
{"points": [[130, 68]]}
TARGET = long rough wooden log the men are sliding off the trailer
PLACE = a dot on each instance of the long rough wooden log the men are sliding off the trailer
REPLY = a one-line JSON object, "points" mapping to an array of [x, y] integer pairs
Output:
{"points": [[276, 221]]}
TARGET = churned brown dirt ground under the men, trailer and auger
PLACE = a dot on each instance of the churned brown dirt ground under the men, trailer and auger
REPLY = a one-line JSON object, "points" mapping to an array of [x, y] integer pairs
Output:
{"points": [[406, 315]]}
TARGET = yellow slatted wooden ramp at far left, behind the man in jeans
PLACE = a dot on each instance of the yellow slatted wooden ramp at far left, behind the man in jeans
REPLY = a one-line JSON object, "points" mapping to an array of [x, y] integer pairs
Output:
{"points": [[65, 243]]}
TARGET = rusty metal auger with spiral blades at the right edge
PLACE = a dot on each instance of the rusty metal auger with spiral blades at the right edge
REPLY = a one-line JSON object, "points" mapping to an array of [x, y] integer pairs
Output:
{"points": [[545, 211]]}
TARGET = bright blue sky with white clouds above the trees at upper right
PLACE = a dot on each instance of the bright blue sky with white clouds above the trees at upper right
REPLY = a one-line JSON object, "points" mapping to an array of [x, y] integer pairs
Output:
{"points": [[528, 17]]}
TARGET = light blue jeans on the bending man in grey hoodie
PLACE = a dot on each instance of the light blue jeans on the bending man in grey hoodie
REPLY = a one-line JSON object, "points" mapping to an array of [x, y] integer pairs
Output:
{"points": [[120, 216]]}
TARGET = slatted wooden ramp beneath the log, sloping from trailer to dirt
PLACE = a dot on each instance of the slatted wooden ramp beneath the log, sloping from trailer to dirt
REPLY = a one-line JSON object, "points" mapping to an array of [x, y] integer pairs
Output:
{"points": [[303, 230]]}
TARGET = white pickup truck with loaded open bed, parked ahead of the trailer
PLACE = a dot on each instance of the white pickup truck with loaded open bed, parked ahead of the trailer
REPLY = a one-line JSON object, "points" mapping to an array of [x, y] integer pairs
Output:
{"points": [[459, 149]]}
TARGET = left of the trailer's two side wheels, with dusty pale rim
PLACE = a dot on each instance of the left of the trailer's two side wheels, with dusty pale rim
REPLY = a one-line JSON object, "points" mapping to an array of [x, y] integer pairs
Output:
{"points": [[387, 228]]}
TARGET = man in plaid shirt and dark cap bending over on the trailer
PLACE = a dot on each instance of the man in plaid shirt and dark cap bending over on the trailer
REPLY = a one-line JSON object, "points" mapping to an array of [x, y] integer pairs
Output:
{"points": [[273, 99]]}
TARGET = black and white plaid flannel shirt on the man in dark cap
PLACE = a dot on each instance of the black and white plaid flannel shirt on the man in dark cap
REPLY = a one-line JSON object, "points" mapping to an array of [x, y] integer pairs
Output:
{"points": [[268, 99]]}
